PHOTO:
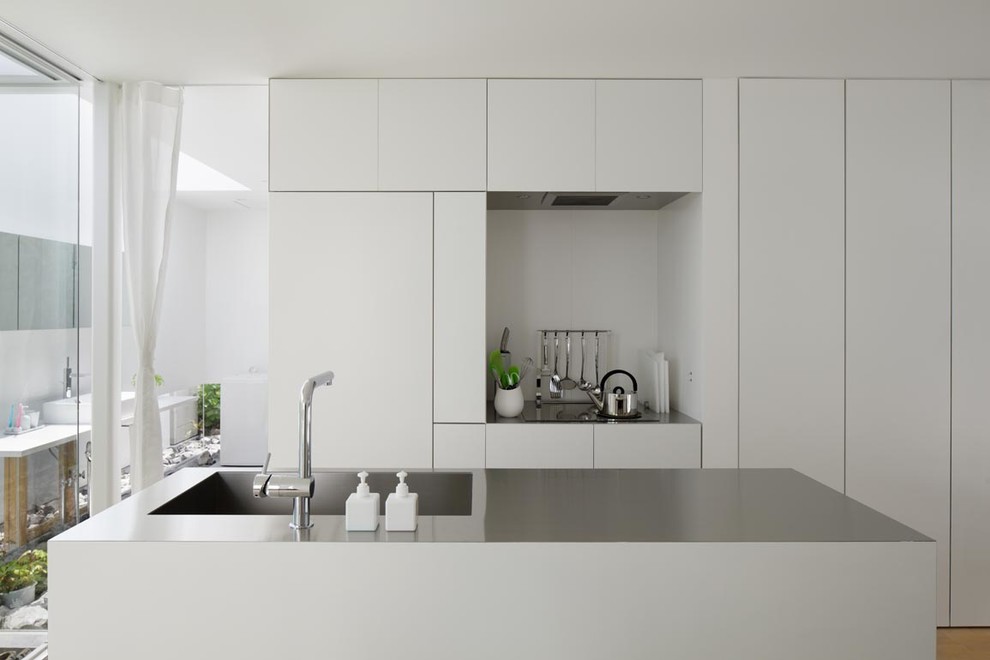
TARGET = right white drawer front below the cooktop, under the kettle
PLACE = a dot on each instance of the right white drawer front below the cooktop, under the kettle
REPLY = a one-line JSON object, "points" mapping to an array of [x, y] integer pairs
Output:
{"points": [[645, 445]]}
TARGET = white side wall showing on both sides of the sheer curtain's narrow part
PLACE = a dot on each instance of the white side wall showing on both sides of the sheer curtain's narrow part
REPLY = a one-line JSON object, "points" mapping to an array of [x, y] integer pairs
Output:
{"points": [[181, 354]]}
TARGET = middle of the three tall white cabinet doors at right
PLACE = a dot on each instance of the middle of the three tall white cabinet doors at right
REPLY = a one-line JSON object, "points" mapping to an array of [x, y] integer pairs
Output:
{"points": [[898, 305]]}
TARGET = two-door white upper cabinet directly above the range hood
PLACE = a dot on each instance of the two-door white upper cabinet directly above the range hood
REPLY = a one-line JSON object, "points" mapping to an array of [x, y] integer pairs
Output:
{"points": [[606, 135]]}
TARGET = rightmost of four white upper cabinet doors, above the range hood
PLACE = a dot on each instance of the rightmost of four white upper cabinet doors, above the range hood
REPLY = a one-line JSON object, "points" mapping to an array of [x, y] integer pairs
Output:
{"points": [[648, 135]]}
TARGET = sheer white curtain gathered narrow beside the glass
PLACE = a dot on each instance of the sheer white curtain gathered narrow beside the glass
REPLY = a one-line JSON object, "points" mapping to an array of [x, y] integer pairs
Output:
{"points": [[149, 121]]}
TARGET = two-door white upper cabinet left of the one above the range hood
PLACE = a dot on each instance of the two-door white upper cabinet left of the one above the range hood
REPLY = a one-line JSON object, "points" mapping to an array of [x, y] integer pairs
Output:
{"points": [[365, 135]]}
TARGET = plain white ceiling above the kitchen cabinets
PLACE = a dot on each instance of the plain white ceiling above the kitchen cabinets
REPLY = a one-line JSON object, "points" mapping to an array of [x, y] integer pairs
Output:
{"points": [[248, 41]]}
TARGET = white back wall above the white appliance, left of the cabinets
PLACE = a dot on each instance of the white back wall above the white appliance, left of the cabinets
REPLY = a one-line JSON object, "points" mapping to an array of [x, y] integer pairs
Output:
{"points": [[236, 322]]}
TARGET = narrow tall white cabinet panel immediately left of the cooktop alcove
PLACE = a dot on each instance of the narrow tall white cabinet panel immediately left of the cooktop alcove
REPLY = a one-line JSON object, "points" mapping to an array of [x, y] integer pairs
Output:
{"points": [[459, 364]]}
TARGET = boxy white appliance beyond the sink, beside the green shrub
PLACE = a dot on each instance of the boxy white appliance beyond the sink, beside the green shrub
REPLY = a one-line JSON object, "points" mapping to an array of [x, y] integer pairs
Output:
{"points": [[244, 420]]}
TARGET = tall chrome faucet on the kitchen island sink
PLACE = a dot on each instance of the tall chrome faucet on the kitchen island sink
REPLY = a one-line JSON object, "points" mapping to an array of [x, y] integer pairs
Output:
{"points": [[300, 487]]}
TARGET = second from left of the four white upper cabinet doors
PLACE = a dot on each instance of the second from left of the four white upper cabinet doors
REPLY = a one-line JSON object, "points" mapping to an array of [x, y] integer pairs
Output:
{"points": [[432, 134]]}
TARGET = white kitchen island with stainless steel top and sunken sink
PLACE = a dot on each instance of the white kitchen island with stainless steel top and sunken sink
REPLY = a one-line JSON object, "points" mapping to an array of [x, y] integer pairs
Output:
{"points": [[570, 564]]}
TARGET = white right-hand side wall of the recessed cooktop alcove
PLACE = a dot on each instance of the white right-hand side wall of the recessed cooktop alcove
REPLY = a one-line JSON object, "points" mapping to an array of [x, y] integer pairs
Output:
{"points": [[679, 307]]}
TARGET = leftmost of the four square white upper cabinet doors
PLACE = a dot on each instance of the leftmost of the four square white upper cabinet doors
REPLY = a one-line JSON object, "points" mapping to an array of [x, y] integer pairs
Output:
{"points": [[323, 135]]}
